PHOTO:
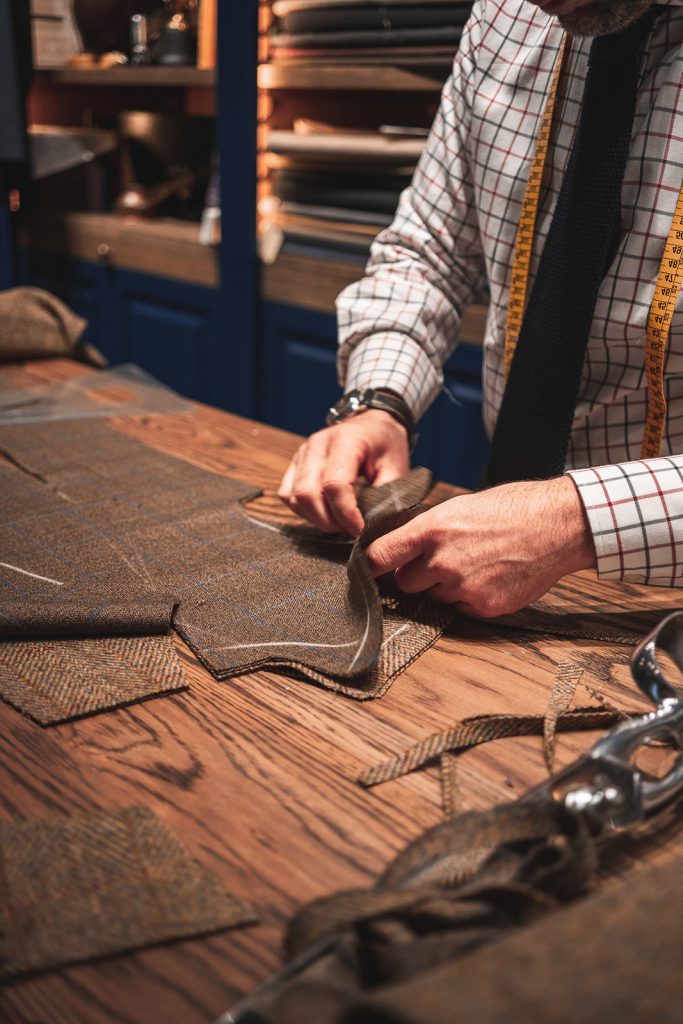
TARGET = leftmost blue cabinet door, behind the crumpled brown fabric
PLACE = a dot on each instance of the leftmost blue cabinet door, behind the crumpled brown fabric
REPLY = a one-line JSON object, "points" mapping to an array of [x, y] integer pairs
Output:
{"points": [[81, 285]]}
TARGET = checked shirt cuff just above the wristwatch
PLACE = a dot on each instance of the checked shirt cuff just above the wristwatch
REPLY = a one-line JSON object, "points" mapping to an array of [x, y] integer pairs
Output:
{"points": [[393, 361]]}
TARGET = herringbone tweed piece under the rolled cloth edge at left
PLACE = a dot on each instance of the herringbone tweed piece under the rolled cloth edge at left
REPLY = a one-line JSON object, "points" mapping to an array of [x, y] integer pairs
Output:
{"points": [[57, 680]]}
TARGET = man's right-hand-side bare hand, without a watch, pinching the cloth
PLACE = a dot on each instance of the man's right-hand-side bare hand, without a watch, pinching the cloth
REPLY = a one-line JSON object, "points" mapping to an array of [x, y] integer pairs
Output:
{"points": [[494, 552]]}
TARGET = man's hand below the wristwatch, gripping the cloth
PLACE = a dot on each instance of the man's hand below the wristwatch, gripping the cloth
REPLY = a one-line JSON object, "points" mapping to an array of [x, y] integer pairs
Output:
{"points": [[319, 484]]}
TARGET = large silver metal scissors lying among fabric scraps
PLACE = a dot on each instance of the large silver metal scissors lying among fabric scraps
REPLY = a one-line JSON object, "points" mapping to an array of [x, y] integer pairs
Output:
{"points": [[606, 785]]}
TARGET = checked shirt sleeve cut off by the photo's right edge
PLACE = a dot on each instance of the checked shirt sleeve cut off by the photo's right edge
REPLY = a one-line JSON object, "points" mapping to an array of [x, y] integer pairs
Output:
{"points": [[635, 511]]}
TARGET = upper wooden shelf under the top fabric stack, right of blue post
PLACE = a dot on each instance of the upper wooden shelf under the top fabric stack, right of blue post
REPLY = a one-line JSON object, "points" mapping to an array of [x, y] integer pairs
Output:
{"points": [[349, 77]]}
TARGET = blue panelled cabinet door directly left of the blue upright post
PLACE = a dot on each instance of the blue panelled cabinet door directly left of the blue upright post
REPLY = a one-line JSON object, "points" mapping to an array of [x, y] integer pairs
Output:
{"points": [[166, 327]]}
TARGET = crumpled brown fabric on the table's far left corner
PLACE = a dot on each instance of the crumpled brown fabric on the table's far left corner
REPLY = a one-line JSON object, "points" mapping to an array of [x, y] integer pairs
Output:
{"points": [[35, 324]]}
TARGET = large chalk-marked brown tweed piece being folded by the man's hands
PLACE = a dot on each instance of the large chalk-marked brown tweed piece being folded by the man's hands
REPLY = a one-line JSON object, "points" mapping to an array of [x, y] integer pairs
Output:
{"points": [[101, 521]]}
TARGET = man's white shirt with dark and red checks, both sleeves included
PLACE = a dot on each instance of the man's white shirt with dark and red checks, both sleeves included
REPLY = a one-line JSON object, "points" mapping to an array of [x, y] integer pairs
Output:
{"points": [[455, 232]]}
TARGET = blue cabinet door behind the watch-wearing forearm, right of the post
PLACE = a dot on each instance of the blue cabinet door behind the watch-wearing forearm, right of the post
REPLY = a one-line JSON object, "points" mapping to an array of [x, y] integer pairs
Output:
{"points": [[300, 385]]}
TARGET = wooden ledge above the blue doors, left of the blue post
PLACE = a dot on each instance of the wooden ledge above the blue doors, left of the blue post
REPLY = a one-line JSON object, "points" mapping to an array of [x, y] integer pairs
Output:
{"points": [[164, 248]]}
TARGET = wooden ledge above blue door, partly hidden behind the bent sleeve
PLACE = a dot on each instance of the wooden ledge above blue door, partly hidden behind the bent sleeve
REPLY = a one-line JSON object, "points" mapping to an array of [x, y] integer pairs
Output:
{"points": [[315, 284]]}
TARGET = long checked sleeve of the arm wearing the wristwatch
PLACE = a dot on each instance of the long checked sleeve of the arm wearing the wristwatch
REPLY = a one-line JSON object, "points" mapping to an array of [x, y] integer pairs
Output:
{"points": [[399, 324]]}
